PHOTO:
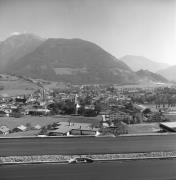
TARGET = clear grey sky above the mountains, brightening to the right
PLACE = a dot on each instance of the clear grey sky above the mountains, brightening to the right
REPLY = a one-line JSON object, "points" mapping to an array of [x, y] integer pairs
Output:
{"points": [[121, 27]]}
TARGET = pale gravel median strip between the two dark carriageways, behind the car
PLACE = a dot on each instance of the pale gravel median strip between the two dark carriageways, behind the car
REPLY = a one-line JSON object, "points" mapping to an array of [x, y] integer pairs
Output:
{"points": [[98, 157]]}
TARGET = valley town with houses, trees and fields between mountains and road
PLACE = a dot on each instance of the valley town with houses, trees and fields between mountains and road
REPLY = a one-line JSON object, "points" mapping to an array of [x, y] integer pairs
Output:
{"points": [[94, 110]]}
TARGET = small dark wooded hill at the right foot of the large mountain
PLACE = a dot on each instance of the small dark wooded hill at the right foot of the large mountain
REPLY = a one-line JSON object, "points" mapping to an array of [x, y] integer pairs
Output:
{"points": [[148, 76]]}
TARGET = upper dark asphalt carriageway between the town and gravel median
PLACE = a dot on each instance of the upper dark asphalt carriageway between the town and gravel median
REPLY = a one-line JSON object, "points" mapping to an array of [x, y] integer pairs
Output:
{"points": [[88, 145]]}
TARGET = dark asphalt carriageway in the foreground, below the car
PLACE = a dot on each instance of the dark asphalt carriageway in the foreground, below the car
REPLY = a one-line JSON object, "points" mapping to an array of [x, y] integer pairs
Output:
{"points": [[128, 170]]}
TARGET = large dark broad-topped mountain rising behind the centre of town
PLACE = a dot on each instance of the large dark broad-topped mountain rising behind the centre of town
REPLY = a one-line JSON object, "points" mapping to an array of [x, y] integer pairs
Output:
{"points": [[72, 60]]}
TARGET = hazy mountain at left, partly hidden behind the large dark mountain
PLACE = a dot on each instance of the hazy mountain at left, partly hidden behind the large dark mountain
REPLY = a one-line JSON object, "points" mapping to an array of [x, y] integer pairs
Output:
{"points": [[16, 46]]}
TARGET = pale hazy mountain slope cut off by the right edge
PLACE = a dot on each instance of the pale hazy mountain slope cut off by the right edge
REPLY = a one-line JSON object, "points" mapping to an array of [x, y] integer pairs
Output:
{"points": [[169, 73]]}
